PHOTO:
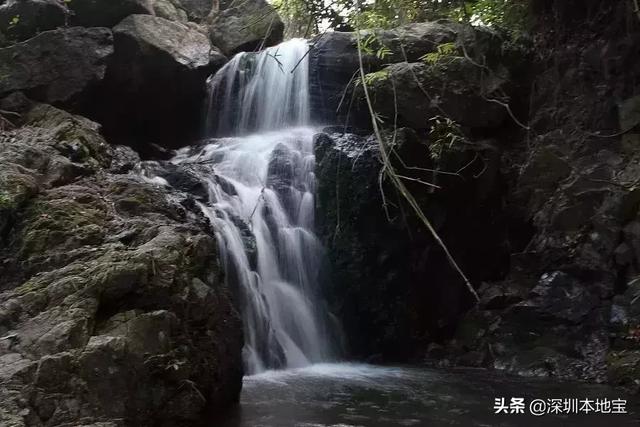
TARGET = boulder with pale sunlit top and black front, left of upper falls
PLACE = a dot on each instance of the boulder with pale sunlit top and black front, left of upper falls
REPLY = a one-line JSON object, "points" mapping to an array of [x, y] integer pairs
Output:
{"points": [[156, 81]]}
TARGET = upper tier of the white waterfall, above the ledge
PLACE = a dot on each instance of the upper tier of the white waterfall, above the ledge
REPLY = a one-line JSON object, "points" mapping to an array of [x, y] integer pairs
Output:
{"points": [[261, 91]]}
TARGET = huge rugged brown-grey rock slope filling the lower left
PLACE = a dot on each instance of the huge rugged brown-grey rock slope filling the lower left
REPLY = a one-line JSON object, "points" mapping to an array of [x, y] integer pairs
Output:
{"points": [[112, 304]]}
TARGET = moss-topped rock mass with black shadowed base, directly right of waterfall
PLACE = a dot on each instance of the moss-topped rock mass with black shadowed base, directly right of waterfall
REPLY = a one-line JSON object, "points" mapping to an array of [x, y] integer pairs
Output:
{"points": [[392, 286]]}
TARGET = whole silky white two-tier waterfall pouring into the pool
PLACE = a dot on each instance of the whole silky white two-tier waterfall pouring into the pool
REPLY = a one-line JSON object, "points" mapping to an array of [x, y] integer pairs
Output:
{"points": [[261, 204]]}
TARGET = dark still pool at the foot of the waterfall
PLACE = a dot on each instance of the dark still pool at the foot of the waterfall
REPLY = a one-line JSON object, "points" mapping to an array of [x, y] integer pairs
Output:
{"points": [[350, 395]]}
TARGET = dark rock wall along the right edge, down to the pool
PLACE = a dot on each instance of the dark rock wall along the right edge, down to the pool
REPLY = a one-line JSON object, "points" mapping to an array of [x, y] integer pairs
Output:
{"points": [[575, 176]]}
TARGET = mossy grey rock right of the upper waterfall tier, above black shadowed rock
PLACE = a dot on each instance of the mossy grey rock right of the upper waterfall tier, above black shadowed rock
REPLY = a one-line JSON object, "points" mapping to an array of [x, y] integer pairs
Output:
{"points": [[334, 59]]}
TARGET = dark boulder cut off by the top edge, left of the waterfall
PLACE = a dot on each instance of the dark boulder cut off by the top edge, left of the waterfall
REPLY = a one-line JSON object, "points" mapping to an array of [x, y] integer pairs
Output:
{"points": [[100, 13]]}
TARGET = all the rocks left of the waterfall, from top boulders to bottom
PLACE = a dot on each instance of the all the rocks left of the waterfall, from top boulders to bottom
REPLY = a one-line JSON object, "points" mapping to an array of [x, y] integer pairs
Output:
{"points": [[113, 307]]}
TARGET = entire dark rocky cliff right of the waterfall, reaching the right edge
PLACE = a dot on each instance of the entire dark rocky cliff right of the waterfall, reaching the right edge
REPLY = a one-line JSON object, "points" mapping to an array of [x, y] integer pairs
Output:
{"points": [[544, 223]]}
